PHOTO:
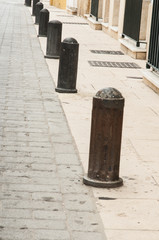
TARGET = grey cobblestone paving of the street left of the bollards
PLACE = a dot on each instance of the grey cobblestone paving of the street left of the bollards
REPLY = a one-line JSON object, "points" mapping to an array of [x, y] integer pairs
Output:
{"points": [[41, 191]]}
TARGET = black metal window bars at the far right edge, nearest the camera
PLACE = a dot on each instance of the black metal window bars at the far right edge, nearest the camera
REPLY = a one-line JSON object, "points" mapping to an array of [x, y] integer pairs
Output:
{"points": [[153, 57]]}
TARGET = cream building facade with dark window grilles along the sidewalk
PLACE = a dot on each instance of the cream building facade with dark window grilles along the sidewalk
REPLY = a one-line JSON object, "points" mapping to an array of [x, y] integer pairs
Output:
{"points": [[135, 23]]}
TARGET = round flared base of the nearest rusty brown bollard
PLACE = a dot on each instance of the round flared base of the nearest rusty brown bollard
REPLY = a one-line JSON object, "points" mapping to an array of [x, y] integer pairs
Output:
{"points": [[101, 184]]}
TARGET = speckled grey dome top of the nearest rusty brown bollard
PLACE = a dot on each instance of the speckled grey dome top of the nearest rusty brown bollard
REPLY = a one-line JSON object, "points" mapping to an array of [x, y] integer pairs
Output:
{"points": [[108, 93]]}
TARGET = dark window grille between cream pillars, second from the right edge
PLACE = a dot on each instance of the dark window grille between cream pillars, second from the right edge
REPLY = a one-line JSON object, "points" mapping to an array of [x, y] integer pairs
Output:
{"points": [[132, 19]]}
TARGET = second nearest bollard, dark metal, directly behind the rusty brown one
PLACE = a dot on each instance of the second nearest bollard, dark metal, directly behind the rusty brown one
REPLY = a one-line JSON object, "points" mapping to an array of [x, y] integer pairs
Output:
{"points": [[67, 74]]}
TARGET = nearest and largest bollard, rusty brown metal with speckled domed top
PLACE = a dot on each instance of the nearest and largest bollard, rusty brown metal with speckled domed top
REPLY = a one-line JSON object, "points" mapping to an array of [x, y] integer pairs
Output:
{"points": [[105, 141]]}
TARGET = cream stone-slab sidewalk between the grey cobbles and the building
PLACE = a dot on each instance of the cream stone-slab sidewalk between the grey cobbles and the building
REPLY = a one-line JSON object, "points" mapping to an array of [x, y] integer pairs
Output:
{"points": [[130, 212]]}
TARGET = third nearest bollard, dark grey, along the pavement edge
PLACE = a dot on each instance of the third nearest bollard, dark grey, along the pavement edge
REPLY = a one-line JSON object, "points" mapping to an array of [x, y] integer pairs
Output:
{"points": [[54, 39]]}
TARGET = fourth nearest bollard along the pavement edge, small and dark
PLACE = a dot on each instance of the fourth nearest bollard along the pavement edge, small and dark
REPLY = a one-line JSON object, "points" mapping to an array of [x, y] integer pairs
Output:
{"points": [[43, 22]]}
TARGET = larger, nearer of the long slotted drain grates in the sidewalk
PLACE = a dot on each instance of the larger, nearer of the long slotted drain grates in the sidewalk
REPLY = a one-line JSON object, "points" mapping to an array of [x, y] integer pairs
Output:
{"points": [[113, 64]]}
